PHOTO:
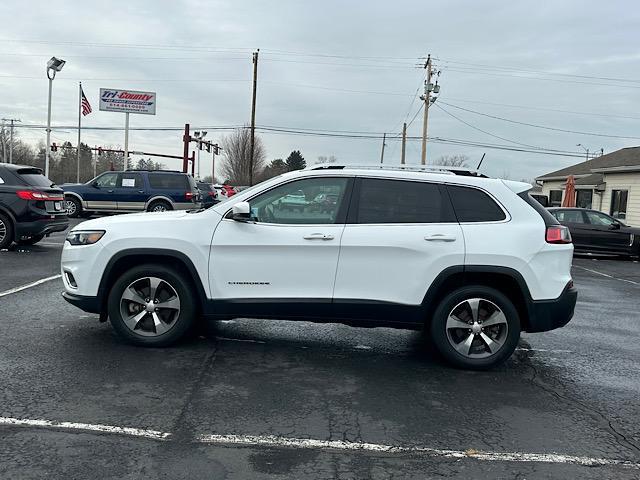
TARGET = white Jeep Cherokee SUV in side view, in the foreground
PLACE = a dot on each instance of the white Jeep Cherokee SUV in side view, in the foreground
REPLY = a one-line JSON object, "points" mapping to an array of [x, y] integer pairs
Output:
{"points": [[471, 260]]}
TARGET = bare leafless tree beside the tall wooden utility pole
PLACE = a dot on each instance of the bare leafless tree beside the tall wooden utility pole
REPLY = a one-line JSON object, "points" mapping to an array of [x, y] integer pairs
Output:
{"points": [[236, 159]]}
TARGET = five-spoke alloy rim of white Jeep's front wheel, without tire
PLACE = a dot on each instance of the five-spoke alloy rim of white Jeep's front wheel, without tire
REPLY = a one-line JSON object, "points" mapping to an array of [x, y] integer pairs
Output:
{"points": [[150, 306]]}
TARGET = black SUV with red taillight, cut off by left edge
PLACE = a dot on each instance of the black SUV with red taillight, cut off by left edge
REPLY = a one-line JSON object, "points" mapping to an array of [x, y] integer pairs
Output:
{"points": [[30, 205]]}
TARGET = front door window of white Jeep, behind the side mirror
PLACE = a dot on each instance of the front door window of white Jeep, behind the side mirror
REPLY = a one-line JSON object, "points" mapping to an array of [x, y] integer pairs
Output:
{"points": [[306, 201]]}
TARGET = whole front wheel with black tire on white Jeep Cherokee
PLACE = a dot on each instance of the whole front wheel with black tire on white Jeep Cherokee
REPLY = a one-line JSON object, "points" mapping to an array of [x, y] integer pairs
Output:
{"points": [[152, 305]]}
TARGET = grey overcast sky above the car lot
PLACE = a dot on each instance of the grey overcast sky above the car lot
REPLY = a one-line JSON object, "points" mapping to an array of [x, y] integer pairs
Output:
{"points": [[337, 65]]}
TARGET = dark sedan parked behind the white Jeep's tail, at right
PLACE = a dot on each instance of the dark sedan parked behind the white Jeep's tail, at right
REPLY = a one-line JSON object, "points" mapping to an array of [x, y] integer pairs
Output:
{"points": [[597, 232]]}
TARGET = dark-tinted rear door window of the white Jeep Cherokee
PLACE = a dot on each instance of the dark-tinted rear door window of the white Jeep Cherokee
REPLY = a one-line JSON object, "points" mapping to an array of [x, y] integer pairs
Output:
{"points": [[400, 201]]}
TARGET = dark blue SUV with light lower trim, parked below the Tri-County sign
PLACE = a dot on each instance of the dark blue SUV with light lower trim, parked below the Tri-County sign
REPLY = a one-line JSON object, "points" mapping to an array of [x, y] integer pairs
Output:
{"points": [[133, 191]]}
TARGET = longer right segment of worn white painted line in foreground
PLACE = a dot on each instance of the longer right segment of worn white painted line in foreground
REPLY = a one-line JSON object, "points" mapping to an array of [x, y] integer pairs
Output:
{"points": [[307, 443]]}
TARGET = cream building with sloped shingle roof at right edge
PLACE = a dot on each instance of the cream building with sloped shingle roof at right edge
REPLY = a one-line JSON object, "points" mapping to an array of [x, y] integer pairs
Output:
{"points": [[610, 184]]}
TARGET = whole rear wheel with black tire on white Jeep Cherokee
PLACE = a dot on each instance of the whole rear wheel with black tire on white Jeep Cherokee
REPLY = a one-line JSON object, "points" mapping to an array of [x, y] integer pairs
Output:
{"points": [[507, 332]]}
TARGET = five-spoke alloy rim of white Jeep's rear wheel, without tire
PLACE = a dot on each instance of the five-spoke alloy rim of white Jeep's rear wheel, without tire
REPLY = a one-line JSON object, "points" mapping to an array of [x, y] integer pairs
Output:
{"points": [[477, 328]]}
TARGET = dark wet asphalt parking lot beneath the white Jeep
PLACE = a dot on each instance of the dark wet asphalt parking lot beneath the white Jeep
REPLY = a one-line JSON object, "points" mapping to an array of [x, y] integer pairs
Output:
{"points": [[275, 399]]}
